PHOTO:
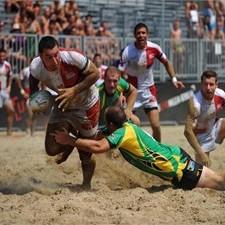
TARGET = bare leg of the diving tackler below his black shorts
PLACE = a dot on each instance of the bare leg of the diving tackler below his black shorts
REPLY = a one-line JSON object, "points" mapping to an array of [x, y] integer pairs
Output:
{"points": [[211, 179]]}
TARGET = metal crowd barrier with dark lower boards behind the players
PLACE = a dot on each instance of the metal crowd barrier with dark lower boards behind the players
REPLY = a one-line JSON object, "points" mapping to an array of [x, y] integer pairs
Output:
{"points": [[196, 56]]}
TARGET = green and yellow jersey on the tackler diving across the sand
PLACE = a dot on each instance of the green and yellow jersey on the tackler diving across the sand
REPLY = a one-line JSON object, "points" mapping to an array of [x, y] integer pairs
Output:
{"points": [[141, 150]]}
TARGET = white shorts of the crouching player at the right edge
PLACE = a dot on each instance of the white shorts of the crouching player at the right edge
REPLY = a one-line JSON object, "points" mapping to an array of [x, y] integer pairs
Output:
{"points": [[209, 140]]}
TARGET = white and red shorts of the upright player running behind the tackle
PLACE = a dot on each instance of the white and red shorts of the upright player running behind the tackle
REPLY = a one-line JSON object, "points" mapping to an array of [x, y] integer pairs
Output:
{"points": [[146, 98]]}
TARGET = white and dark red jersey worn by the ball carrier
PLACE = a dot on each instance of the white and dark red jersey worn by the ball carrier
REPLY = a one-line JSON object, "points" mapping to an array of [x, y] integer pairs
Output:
{"points": [[72, 63]]}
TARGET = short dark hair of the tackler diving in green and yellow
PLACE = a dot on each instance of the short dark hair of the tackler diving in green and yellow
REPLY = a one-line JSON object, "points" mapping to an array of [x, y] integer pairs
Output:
{"points": [[115, 115]]}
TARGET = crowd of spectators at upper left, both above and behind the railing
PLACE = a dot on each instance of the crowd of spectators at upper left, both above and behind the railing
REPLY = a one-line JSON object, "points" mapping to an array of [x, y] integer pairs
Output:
{"points": [[57, 18]]}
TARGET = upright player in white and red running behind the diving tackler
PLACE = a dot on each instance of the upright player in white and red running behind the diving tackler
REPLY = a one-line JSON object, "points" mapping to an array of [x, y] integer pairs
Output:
{"points": [[137, 61]]}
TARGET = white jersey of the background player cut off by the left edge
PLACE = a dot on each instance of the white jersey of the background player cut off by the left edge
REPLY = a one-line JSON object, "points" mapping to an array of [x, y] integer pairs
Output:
{"points": [[5, 74]]}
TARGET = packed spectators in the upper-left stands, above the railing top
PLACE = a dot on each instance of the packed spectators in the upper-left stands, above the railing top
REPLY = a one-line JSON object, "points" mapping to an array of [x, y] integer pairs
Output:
{"points": [[56, 18]]}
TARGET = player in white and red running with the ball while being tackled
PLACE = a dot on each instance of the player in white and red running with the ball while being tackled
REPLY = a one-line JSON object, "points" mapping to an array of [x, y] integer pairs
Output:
{"points": [[72, 75]]}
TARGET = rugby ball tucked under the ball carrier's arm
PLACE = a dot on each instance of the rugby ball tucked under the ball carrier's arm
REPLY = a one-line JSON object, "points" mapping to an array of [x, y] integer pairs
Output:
{"points": [[41, 101]]}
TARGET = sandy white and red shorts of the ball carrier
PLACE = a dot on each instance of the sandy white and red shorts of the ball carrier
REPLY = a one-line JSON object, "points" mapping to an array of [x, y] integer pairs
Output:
{"points": [[84, 121]]}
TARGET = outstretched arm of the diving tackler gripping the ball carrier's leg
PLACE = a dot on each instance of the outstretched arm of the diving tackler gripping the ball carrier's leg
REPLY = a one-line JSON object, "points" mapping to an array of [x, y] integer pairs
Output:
{"points": [[88, 145]]}
